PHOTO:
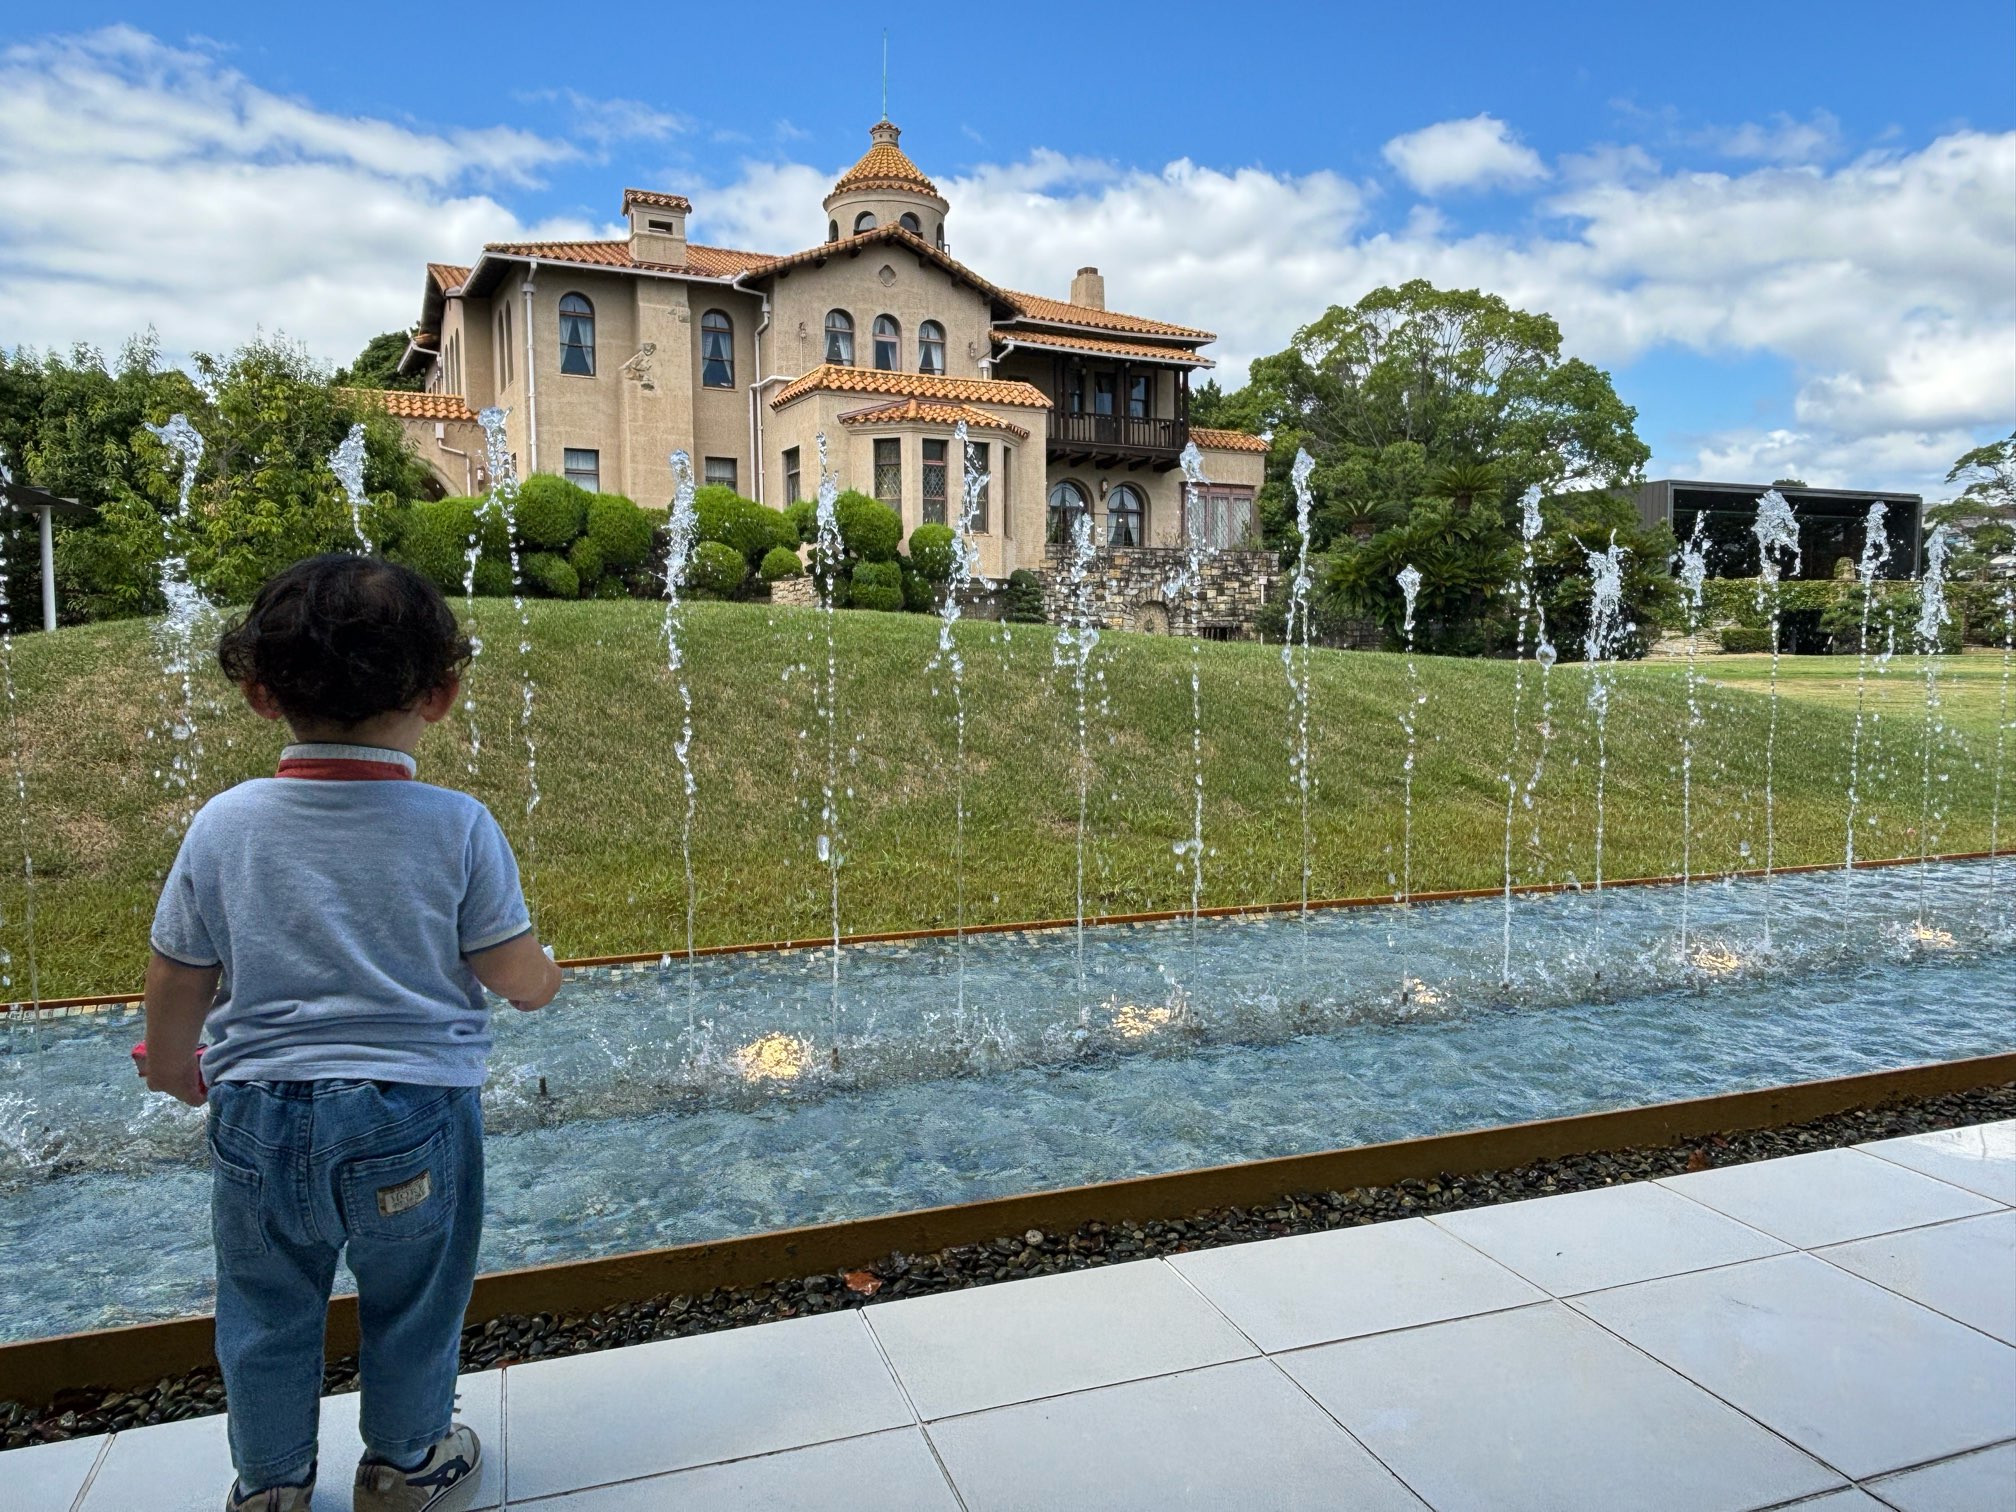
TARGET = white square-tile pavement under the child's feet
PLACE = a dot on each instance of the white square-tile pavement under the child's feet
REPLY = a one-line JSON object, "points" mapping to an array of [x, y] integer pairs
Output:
{"points": [[1694, 1364]]}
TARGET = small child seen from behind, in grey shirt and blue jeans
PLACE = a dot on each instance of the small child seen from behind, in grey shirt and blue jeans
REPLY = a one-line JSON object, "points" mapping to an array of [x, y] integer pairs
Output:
{"points": [[328, 930]]}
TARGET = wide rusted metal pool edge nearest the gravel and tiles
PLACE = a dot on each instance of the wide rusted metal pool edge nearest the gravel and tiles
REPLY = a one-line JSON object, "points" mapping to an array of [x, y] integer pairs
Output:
{"points": [[110, 1360]]}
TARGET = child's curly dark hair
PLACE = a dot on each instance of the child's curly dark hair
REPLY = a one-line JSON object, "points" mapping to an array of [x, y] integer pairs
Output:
{"points": [[340, 640]]}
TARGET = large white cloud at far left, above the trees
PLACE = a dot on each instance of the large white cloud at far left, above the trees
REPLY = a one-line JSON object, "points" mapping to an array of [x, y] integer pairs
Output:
{"points": [[144, 184]]}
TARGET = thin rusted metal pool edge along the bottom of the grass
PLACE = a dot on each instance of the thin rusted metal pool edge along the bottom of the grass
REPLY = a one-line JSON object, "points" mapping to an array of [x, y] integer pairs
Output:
{"points": [[1110, 920]]}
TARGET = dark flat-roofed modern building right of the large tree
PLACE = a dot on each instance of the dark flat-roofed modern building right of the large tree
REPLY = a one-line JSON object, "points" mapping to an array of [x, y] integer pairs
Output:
{"points": [[1832, 523]]}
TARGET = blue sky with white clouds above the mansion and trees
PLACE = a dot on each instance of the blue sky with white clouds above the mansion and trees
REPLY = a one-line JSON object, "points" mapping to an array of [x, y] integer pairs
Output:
{"points": [[1789, 229]]}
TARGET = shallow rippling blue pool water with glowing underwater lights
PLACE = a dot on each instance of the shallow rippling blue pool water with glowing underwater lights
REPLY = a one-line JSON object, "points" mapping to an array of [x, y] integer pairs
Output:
{"points": [[668, 1104]]}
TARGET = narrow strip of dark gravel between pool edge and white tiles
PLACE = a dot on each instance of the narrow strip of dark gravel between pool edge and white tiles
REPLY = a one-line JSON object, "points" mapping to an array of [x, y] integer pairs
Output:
{"points": [[517, 1340]]}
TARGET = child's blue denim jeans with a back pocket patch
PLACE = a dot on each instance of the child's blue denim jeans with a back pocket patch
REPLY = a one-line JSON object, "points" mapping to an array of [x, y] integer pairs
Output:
{"points": [[299, 1172]]}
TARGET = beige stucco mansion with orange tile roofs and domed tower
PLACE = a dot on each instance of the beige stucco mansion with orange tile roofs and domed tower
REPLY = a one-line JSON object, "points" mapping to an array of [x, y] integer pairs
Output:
{"points": [[610, 356]]}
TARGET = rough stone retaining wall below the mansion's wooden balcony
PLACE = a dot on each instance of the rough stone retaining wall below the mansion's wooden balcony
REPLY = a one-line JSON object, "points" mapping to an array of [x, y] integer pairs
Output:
{"points": [[1130, 590]]}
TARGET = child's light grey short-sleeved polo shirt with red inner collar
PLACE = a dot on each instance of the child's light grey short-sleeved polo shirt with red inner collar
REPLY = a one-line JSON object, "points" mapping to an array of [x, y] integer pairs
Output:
{"points": [[342, 914]]}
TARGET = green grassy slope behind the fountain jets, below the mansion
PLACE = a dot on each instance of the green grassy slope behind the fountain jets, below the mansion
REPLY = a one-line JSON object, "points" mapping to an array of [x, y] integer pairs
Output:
{"points": [[602, 852]]}
